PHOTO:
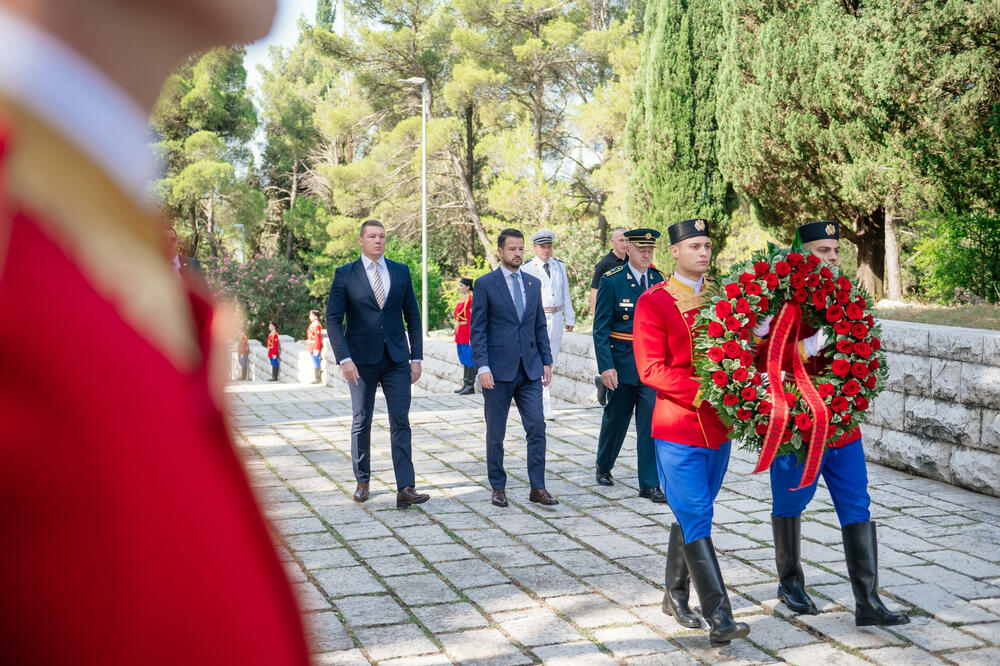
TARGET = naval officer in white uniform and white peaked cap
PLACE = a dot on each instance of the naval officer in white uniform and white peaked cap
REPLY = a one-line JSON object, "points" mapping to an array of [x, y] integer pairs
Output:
{"points": [[559, 315]]}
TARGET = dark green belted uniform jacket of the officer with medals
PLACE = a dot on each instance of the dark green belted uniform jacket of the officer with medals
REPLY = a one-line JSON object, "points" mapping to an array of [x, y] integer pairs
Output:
{"points": [[614, 315]]}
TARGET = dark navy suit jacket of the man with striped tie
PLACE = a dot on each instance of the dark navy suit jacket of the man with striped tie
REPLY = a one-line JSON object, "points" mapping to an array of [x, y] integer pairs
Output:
{"points": [[359, 329]]}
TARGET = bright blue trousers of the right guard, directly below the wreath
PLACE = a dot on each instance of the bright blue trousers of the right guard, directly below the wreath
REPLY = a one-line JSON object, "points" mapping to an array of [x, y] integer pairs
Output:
{"points": [[845, 474]]}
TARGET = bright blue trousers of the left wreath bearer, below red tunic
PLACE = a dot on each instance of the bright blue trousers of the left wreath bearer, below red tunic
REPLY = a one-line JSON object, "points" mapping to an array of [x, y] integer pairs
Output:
{"points": [[691, 477]]}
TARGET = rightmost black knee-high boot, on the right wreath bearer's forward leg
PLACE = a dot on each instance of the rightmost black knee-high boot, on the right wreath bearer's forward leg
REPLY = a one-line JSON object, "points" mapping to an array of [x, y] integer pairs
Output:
{"points": [[861, 552]]}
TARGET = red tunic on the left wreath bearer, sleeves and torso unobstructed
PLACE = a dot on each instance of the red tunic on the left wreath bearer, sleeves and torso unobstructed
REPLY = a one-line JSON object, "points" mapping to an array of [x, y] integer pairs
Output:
{"points": [[663, 344]]}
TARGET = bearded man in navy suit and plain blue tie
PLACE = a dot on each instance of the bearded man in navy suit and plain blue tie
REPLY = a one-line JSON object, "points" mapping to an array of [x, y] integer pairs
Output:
{"points": [[510, 346]]}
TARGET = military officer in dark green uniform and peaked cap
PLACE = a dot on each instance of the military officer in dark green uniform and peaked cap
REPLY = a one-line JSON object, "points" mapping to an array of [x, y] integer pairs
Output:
{"points": [[617, 294]]}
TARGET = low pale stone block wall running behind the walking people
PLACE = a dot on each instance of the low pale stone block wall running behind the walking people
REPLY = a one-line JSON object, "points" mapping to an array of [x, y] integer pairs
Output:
{"points": [[938, 418]]}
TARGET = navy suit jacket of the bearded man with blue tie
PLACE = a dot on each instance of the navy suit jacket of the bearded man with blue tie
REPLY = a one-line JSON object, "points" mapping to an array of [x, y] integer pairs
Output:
{"points": [[498, 338]]}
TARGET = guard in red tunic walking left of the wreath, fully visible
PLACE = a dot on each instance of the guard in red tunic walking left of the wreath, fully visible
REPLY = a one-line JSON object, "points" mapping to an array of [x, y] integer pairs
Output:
{"points": [[692, 444]]}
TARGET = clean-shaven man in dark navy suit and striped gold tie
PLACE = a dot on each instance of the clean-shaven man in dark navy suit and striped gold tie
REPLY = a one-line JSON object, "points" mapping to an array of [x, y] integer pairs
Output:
{"points": [[375, 296]]}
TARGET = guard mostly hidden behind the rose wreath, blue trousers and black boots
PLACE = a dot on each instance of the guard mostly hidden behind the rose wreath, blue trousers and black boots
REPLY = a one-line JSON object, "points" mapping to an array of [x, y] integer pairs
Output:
{"points": [[843, 468]]}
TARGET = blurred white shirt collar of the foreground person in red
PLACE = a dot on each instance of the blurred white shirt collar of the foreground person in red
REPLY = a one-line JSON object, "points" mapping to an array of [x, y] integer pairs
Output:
{"points": [[76, 99]]}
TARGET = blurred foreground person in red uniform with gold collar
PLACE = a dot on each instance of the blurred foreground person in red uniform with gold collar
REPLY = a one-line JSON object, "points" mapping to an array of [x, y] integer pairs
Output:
{"points": [[130, 533]]}
